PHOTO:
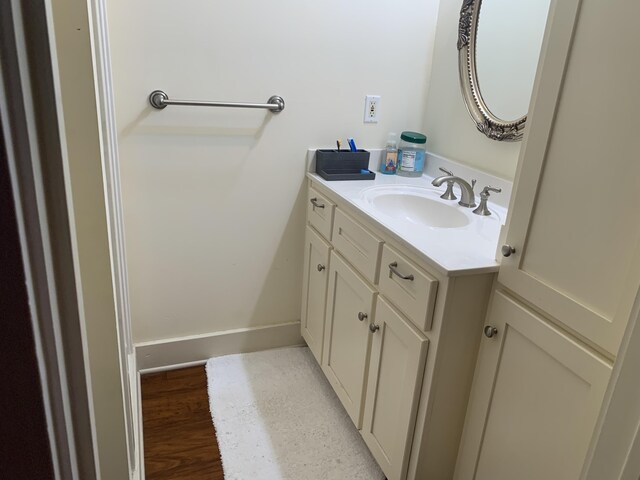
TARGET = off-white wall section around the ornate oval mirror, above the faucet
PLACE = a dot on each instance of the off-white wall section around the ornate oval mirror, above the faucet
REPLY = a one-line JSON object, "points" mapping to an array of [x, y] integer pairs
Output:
{"points": [[450, 130]]}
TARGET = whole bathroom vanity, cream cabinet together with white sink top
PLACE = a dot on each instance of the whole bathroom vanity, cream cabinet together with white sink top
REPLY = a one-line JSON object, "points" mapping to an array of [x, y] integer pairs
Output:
{"points": [[395, 291]]}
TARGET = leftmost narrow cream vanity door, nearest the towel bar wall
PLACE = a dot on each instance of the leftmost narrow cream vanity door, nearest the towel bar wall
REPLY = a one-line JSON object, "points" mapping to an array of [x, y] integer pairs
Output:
{"points": [[314, 291]]}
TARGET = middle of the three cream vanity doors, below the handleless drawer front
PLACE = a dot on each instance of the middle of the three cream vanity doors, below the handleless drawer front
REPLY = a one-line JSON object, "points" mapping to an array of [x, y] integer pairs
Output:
{"points": [[346, 339]]}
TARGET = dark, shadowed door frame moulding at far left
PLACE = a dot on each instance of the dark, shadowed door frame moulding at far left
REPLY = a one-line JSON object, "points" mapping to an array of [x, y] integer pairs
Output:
{"points": [[35, 153]]}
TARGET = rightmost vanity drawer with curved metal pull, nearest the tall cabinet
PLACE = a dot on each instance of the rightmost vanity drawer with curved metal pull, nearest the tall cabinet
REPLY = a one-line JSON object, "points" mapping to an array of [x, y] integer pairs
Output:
{"points": [[410, 288]]}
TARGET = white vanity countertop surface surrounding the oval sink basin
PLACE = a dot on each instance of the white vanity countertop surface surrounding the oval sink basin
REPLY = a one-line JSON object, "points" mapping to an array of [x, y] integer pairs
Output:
{"points": [[455, 251]]}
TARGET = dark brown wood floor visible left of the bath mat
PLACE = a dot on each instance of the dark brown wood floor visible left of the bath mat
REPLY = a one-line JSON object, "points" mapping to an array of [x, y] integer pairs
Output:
{"points": [[179, 438]]}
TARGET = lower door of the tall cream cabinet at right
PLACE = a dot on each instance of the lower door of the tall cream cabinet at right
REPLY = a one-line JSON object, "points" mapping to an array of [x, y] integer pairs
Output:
{"points": [[534, 403]]}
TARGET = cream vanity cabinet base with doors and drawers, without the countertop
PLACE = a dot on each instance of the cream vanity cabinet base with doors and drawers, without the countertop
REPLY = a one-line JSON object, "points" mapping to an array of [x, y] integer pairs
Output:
{"points": [[399, 336]]}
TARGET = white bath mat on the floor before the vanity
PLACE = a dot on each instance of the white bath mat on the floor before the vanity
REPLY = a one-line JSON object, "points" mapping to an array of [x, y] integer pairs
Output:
{"points": [[277, 418]]}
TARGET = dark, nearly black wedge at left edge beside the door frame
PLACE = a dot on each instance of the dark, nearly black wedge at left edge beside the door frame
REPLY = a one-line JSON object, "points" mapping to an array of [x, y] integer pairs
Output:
{"points": [[24, 448]]}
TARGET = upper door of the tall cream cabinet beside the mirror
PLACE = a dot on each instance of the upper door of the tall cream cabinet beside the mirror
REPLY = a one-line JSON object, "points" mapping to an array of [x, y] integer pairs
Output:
{"points": [[573, 221]]}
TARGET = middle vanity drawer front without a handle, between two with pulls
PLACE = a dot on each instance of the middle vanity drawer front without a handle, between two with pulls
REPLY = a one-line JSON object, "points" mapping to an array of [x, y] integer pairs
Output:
{"points": [[357, 245]]}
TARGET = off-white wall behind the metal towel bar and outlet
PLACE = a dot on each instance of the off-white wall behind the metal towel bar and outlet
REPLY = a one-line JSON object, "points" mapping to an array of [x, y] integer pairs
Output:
{"points": [[213, 198]]}
